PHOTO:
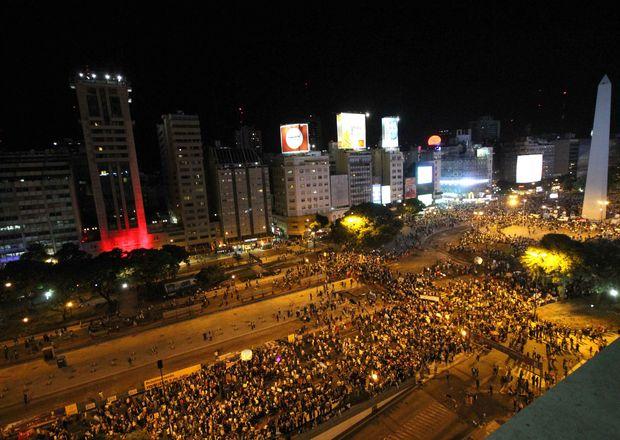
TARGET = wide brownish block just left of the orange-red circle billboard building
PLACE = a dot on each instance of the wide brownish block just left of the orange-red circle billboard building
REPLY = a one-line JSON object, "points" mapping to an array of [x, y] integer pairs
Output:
{"points": [[240, 194]]}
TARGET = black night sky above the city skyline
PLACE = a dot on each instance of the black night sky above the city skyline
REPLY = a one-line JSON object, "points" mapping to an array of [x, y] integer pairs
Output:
{"points": [[435, 68]]}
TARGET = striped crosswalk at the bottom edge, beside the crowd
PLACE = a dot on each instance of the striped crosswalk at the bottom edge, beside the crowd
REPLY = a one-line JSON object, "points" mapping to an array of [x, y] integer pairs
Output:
{"points": [[425, 424]]}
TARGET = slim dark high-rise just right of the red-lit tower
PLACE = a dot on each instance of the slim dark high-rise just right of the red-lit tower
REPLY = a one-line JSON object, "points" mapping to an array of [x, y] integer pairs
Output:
{"points": [[180, 144]]}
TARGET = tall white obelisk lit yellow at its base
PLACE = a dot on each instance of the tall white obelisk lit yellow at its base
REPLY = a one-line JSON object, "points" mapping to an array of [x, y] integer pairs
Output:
{"points": [[595, 199]]}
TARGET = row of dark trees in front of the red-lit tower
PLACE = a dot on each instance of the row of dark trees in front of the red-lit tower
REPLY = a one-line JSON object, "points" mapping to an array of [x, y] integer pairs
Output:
{"points": [[70, 272]]}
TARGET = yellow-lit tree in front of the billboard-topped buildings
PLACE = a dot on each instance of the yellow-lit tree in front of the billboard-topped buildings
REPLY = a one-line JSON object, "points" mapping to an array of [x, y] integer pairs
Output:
{"points": [[367, 225]]}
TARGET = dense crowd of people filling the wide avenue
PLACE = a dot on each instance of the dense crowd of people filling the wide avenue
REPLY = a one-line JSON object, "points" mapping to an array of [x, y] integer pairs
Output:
{"points": [[287, 387]]}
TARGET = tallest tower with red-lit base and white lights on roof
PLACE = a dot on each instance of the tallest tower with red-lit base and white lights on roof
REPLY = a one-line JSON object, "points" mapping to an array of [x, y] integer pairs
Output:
{"points": [[114, 179]]}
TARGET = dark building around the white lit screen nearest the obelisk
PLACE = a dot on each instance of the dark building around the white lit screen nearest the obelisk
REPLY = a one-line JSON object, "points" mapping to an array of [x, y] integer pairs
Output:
{"points": [[523, 147]]}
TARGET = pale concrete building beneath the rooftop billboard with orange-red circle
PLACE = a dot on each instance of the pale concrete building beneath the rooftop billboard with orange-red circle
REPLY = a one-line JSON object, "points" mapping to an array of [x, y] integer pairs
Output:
{"points": [[301, 189]]}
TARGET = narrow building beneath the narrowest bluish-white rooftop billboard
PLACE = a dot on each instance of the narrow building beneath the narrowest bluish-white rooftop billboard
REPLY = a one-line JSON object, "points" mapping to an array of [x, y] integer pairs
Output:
{"points": [[387, 168]]}
